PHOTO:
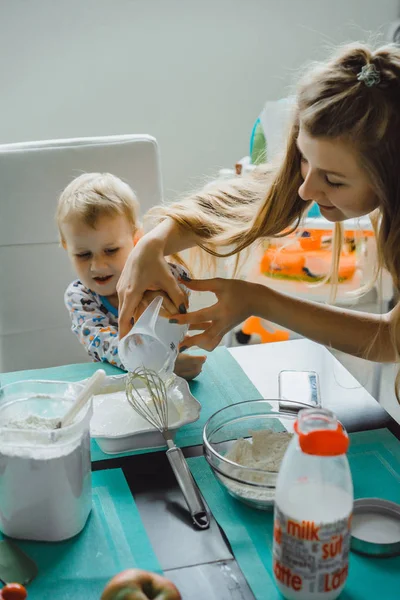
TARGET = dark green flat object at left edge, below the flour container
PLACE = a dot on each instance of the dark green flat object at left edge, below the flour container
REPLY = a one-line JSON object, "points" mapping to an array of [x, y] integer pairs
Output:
{"points": [[15, 565]]}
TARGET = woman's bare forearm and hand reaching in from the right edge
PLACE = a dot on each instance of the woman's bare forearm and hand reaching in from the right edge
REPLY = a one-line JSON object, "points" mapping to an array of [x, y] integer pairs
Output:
{"points": [[361, 334]]}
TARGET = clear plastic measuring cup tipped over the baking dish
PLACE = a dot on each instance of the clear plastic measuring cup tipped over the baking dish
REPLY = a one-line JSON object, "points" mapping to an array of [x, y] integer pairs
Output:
{"points": [[153, 342]]}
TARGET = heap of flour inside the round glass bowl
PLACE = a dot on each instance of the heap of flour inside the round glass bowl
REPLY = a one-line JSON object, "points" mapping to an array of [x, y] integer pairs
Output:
{"points": [[263, 452]]}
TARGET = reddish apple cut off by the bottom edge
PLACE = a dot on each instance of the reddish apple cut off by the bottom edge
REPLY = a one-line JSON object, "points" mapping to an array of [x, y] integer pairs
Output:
{"points": [[135, 584]]}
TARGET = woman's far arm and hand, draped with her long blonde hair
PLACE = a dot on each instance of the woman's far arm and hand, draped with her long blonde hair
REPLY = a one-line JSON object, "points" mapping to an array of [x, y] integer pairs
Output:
{"points": [[222, 215]]}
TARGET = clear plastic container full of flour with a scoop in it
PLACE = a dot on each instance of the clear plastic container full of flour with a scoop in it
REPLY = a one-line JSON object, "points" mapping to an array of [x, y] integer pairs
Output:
{"points": [[45, 474]]}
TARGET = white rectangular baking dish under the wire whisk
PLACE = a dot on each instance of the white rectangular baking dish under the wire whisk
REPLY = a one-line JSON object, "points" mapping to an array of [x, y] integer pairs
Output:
{"points": [[117, 428]]}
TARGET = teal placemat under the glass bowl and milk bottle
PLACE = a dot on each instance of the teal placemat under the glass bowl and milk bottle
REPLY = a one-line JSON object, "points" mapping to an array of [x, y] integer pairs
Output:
{"points": [[375, 464]]}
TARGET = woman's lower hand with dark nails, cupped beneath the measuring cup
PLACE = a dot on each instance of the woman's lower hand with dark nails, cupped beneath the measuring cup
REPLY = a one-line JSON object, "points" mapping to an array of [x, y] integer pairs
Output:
{"points": [[234, 305]]}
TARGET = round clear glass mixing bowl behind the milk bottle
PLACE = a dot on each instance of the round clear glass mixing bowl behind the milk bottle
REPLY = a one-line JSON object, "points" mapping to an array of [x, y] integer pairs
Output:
{"points": [[253, 486]]}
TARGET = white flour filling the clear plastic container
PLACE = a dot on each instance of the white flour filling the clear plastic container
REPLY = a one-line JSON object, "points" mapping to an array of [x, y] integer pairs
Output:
{"points": [[45, 481]]}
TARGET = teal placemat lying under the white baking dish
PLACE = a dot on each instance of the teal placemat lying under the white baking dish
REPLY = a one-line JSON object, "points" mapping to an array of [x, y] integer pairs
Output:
{"points": [[222, 382]]}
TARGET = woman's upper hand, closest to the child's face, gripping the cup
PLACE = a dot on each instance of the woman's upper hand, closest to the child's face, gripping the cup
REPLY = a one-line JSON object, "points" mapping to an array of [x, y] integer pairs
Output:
{"points": [[145, 269]]}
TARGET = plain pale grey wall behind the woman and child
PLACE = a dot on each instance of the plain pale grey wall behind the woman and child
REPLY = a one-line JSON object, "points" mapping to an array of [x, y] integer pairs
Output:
{"points": [[193, 73]]}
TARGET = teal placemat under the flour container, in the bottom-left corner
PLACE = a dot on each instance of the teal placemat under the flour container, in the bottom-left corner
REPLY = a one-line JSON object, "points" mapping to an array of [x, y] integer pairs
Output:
{"points": [[114, 539]]}
